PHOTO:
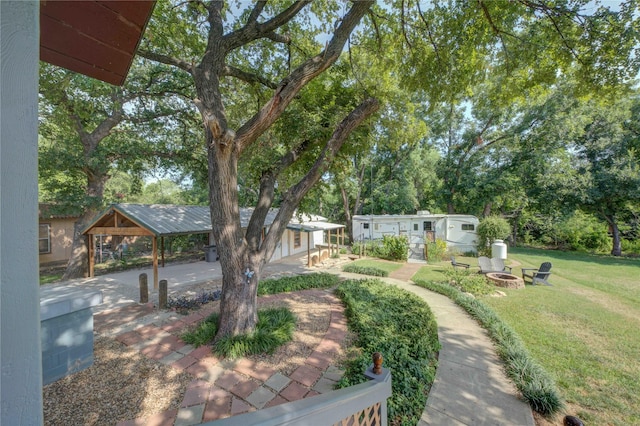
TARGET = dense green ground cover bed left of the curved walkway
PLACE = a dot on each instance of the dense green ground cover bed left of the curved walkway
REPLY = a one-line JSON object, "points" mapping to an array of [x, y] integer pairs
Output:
{"points": [[402, 328]]}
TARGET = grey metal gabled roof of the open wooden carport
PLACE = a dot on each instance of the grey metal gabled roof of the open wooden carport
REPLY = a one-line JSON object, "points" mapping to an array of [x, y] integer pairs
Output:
{"points": [[165, 219]]}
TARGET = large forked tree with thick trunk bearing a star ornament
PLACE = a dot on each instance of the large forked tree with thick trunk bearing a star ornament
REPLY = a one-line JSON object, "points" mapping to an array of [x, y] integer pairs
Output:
{"points": [[202, 40]]}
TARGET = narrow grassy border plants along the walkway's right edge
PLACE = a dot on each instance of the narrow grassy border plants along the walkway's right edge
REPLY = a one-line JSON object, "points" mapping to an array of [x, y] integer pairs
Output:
{"points": [[536, 385]]}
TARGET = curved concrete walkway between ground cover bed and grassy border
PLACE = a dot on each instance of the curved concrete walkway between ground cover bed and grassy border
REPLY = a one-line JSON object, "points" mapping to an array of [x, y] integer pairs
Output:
{"points": [[471, 387]]}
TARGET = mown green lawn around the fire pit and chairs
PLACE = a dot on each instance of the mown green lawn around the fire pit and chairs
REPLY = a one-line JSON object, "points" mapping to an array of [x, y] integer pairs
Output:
{"points": [[584, 330]]}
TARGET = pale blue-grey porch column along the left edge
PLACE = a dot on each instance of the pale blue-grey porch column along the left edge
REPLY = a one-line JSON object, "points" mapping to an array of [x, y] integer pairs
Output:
{"points": [[20, 357]]}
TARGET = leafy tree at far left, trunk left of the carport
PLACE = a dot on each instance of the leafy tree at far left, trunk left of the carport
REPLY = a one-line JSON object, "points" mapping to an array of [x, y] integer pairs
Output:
{"points": [[88, 129]]}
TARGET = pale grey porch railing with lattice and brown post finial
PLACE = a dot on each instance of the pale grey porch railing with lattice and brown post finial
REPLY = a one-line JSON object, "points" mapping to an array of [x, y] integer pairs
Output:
{"points": [[359, 405]]}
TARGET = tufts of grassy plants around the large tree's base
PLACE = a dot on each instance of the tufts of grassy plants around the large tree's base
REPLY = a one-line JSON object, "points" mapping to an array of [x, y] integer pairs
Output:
{"points": [[275, 327]]}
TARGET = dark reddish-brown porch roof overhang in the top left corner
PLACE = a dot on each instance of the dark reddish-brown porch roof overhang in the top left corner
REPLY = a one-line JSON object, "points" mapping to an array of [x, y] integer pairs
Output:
{"points": [[93, 37]]}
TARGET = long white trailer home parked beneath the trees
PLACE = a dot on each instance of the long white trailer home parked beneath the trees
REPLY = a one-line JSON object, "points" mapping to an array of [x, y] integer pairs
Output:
{"points": [[457, 230]]}
